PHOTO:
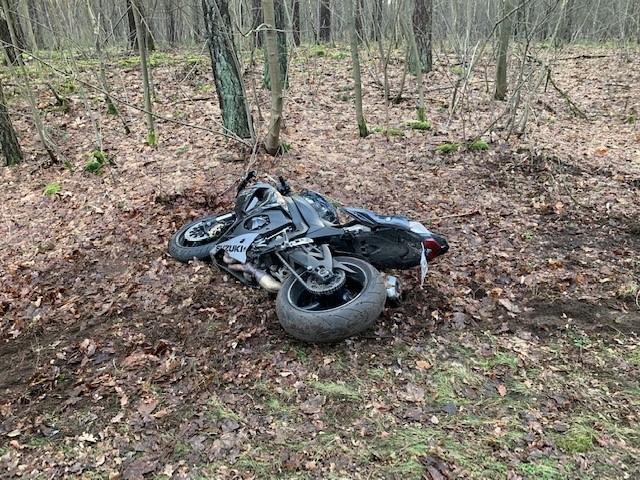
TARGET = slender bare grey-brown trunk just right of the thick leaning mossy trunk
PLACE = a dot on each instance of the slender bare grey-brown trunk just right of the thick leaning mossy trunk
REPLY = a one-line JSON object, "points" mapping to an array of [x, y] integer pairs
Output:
{"points": [[272, 142]]}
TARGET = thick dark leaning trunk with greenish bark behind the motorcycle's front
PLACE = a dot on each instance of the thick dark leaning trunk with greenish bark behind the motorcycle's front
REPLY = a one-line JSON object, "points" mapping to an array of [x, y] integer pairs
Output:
{"points": [[226, 69]]}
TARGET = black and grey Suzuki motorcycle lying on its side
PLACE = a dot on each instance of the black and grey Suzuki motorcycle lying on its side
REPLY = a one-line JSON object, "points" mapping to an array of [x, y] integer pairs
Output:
{"points": [[325, 272]]}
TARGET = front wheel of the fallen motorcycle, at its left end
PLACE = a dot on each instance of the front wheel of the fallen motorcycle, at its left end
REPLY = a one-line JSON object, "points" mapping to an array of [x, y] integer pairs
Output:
{"points": [[192, 240]]}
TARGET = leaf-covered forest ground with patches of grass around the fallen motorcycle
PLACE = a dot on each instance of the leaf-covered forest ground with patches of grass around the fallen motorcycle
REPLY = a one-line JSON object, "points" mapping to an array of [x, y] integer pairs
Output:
{"points": [[519, 359]]}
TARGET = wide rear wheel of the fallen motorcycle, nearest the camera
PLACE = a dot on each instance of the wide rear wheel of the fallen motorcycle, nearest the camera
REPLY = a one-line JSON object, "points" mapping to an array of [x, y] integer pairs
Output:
{"points": [[332, 318]]}
